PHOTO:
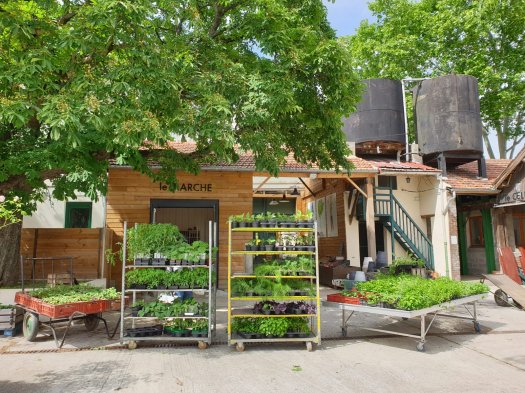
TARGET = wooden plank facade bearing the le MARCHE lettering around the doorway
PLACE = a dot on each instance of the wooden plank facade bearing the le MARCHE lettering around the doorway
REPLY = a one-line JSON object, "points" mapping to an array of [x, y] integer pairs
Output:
{"points": [[129, 195]]}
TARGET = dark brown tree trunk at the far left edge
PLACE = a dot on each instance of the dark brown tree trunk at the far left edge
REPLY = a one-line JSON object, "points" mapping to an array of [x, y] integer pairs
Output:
{"points": [[10, 253]]}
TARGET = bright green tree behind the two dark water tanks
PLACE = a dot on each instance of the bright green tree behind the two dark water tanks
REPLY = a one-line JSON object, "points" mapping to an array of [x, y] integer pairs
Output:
{"points": [[484, 39]]}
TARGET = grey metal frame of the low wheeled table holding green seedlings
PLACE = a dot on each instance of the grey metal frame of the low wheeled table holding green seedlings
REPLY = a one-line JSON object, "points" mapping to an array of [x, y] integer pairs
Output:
{"points": [[434, 311]]}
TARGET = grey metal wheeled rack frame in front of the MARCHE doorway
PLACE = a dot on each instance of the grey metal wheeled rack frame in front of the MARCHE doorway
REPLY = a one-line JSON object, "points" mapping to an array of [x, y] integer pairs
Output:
{"points": [[130, 334]]}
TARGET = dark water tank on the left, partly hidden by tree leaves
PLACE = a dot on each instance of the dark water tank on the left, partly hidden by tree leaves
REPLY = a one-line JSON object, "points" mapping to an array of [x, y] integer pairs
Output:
{"points": [[379, 116]]}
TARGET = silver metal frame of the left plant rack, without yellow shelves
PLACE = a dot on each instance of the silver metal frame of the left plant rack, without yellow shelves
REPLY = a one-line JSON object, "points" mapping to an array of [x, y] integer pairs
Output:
{"points": [[203, 342]]}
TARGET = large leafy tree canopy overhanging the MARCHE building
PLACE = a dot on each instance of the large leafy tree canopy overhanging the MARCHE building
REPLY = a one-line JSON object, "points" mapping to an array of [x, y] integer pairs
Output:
{"points": [[85, 81]]}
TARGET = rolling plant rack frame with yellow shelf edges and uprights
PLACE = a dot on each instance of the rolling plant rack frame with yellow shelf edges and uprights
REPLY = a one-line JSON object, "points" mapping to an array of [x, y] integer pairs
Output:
{"points": [[237, 305]]}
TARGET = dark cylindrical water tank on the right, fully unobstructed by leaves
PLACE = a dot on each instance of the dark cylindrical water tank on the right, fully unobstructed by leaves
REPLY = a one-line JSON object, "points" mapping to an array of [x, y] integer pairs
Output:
{"points": [[447, 115]]}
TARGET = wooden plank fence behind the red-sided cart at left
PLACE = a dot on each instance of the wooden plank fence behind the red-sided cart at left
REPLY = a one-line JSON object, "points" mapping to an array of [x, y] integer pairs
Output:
{"points": [[84, 244]]}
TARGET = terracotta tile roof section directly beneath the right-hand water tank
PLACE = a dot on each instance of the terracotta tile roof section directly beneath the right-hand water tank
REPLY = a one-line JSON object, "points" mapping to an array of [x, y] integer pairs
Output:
{"points": [[465, 177]]}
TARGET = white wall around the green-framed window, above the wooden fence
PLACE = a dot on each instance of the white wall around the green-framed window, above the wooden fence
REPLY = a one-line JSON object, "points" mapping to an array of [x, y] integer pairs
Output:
{"points": [[52, 213]]}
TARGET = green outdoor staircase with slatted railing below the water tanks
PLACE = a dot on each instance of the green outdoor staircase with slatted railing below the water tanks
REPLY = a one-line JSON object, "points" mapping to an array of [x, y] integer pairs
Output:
{"points": [[402, 227]]}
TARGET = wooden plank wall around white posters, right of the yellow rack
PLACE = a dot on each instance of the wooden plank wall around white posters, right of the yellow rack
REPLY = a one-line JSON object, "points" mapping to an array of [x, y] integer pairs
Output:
{"points": [[331, 246]]}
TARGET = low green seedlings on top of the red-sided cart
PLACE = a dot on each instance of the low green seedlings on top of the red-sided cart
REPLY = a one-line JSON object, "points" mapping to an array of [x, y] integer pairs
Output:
{"points": [[62, 294]]}
